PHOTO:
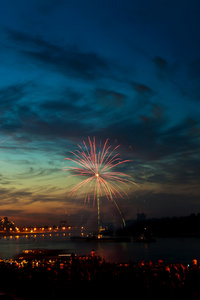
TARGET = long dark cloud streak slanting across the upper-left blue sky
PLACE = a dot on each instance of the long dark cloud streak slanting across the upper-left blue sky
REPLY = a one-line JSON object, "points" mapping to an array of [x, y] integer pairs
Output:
{"points": [[70, 61]]}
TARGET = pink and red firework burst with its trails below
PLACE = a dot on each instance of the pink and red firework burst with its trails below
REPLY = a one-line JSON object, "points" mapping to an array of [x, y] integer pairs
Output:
{"points": [[97, 165]]}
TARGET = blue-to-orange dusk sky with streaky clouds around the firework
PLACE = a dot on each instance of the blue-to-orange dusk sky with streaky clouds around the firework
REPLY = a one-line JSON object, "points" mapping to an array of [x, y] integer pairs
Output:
{"points": [[124, 70]]}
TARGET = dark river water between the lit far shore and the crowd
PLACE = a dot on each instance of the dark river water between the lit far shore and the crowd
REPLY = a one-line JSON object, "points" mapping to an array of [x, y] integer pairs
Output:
{"points": [[168, 249]]}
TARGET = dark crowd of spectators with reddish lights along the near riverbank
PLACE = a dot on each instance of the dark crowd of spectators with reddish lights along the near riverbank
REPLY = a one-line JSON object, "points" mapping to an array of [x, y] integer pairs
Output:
{"points": [[94, 278]]}
